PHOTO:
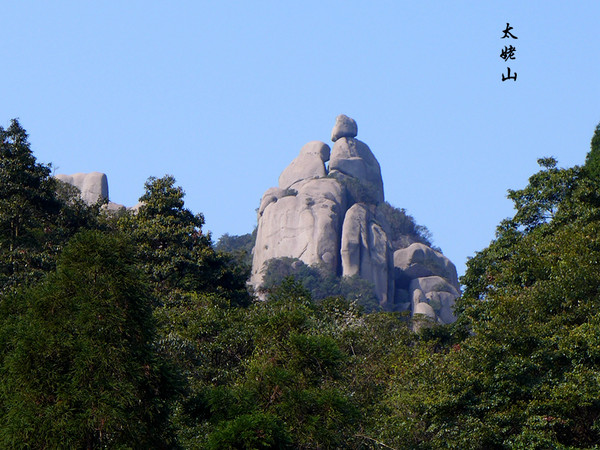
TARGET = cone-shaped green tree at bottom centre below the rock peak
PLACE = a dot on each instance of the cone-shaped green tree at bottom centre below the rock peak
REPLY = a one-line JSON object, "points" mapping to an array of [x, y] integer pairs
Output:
{"points": [[292, 378]]}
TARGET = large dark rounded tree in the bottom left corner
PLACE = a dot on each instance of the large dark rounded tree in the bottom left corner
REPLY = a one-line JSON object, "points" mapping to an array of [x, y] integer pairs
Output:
{"points": [[77, 364]]}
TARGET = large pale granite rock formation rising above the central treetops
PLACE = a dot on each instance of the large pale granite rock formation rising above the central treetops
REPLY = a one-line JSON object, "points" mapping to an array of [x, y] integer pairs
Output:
{"points": [[328, 216]]}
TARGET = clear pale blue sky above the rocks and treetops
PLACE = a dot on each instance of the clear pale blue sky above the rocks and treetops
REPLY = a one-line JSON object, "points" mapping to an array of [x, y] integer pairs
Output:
{"points": [[223, 95]]}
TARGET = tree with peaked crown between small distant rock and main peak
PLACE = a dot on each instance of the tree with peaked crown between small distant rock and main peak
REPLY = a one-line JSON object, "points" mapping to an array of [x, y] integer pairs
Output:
{"points": [[173, 250]]}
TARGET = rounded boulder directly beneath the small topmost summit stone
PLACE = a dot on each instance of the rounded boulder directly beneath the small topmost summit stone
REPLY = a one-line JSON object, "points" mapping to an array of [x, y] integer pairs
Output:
{"points": [[354, 158]]}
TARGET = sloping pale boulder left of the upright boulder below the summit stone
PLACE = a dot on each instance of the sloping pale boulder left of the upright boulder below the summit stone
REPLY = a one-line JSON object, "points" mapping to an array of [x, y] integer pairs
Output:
{"points": [[310, 163]]}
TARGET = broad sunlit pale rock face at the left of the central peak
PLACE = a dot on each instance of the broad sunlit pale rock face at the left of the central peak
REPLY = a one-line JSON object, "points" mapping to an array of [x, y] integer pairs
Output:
{"points": [[306, 226]]}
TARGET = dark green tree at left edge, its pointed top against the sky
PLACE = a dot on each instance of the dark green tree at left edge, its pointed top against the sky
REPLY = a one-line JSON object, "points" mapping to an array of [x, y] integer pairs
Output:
{"points": [[38, 214]]}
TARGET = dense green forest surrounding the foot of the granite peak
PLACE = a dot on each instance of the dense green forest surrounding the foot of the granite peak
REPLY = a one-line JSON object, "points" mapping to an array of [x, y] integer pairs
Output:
{"points": [[135, 330]]}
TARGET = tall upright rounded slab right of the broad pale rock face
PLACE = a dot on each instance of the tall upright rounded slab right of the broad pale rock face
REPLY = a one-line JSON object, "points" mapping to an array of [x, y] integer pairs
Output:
{"points": [[366, 251]]}
